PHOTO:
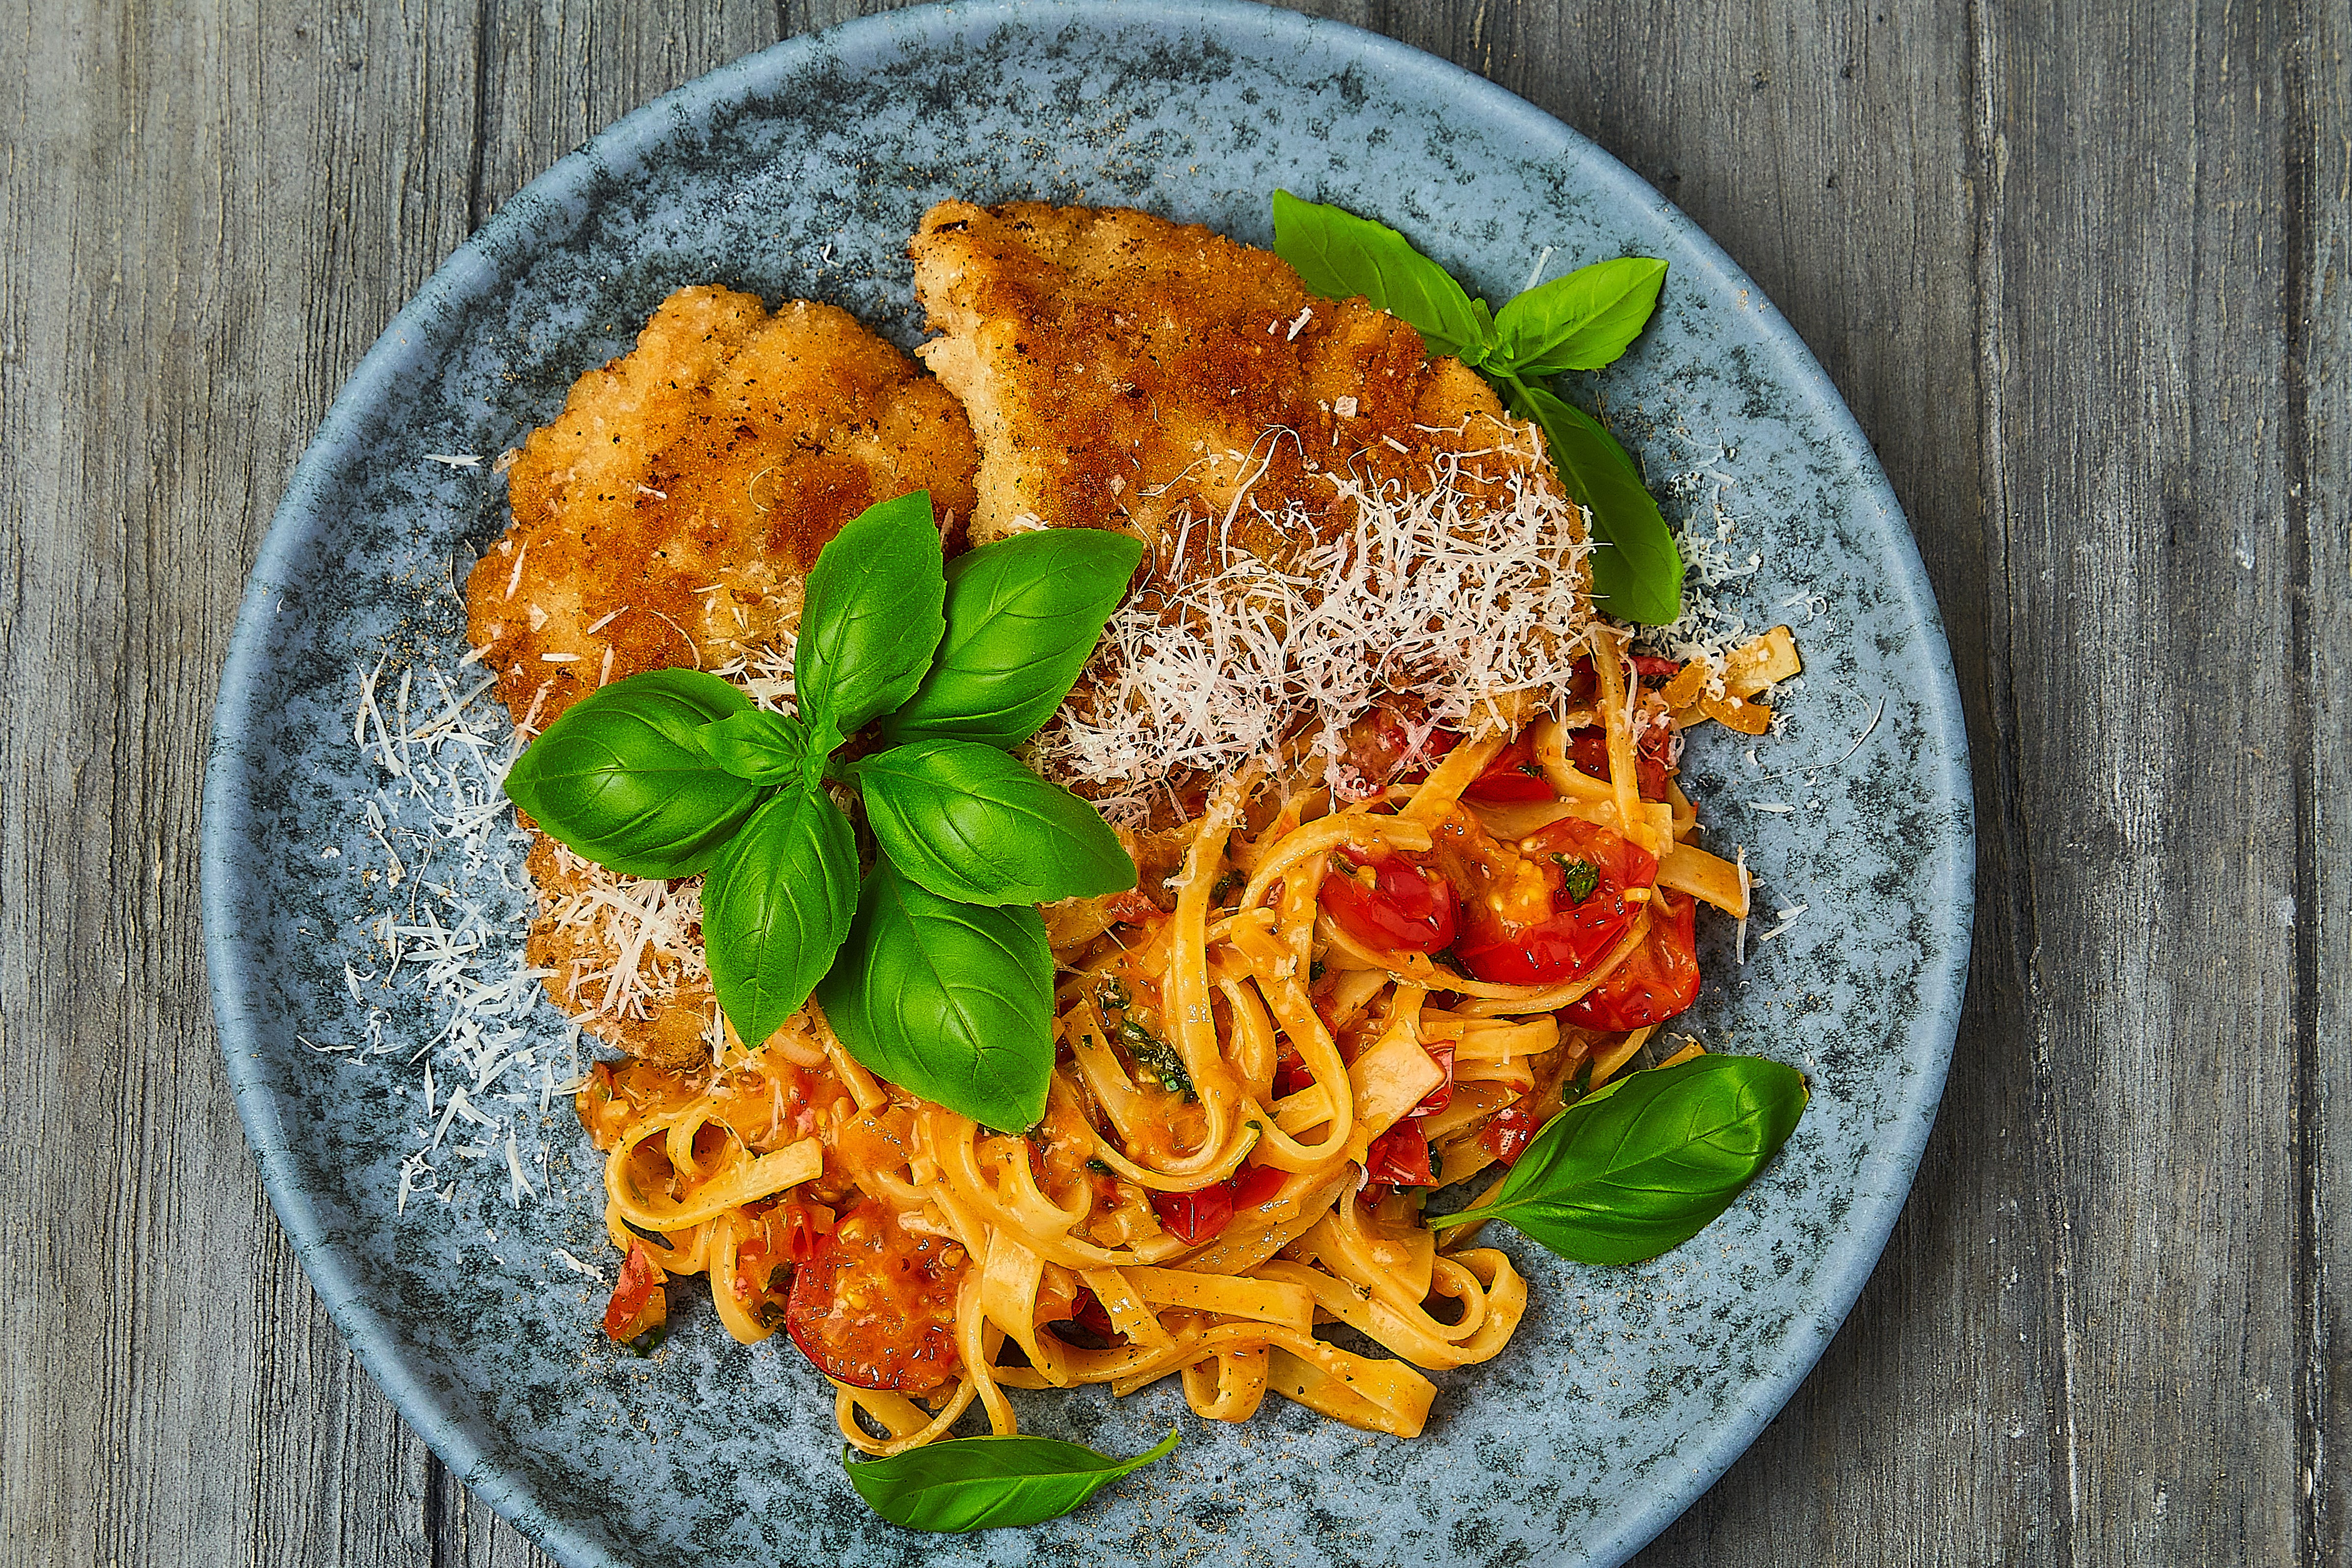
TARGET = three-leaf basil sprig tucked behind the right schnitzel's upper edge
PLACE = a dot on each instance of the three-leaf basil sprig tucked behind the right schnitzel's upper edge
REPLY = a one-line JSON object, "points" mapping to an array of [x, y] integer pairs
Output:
{"points": [[1582, 321]]}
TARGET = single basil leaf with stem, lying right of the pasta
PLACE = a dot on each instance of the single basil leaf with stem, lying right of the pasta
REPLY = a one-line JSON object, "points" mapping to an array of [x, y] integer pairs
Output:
{"points": [[1648, 1162]]}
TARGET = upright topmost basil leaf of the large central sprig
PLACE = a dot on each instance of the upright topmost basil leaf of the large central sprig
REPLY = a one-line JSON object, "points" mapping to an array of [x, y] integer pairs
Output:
{"points": [[874, 617]]}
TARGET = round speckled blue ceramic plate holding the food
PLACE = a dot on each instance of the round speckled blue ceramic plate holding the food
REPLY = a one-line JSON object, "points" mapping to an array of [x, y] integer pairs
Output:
{"points": [[801, 173]]}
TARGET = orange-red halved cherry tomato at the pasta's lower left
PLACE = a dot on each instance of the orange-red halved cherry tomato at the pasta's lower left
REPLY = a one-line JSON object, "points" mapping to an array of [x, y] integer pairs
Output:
{"points": [[876, 1304]]}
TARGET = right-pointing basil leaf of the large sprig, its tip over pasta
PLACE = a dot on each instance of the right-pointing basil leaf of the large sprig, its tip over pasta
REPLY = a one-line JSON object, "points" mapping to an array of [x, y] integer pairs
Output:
{"points": [[970, 824]]}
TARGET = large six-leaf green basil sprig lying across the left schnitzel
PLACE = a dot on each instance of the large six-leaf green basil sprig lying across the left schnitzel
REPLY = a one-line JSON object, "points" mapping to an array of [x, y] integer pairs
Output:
{"points": [[940, 974]]}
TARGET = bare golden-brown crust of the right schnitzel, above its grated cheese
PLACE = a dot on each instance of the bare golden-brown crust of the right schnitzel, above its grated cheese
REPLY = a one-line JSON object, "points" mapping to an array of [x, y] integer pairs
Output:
{"points": [[1123, 370]]}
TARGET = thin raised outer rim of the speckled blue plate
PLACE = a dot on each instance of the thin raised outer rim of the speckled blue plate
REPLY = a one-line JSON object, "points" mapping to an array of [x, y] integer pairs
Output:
{"points": [[227, 819]]}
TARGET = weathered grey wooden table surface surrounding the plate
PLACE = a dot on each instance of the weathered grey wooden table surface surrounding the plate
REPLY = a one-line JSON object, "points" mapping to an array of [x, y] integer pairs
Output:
{"points": [[2078, 276]]}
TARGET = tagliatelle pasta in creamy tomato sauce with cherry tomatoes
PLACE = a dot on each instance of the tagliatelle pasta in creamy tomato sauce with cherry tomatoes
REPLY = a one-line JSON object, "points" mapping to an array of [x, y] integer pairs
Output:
{"points": [[1255, 1092]]}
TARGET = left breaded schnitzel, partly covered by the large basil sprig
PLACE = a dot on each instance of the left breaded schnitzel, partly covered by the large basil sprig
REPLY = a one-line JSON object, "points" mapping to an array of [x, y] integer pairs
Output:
{"points": [[669, 518]]}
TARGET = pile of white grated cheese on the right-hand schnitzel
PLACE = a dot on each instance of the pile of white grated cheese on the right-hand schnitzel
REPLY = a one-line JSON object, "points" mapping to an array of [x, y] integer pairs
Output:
{"points": [[1431, 591]]}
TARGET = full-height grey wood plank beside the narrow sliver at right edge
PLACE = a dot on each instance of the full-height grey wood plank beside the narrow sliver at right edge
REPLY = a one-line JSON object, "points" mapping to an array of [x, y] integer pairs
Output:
{"points": [[2139, 422]]}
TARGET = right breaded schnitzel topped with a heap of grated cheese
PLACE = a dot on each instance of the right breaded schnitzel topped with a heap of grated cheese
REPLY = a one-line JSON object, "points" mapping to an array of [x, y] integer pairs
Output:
{"points": [[1274, 450]]}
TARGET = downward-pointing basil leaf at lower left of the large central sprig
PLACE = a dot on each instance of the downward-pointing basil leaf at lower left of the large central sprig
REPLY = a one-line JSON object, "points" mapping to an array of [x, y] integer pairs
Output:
{"points": [[777, 906]]}
